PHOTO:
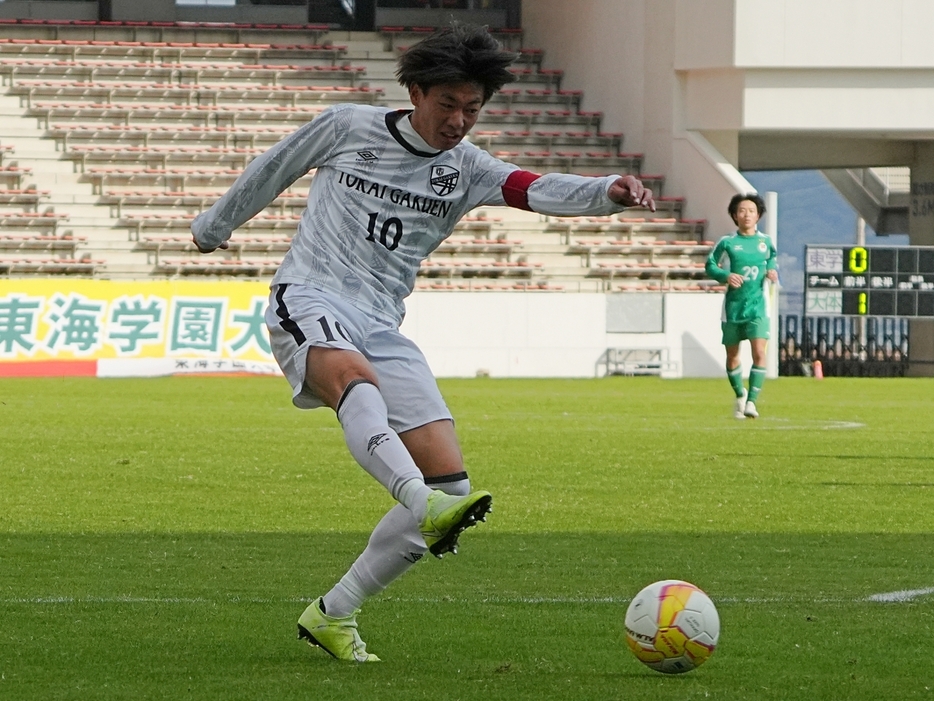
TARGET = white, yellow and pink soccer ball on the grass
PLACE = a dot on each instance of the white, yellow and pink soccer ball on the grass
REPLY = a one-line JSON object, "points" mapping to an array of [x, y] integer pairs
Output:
{"points": [[672, 626]]}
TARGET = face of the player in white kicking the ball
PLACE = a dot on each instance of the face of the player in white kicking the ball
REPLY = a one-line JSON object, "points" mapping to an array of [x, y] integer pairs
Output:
{"points": [[445, 113]]}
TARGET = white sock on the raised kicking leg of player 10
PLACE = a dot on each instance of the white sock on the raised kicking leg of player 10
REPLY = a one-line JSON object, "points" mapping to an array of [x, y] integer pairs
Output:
{"points": [[379, 450]]}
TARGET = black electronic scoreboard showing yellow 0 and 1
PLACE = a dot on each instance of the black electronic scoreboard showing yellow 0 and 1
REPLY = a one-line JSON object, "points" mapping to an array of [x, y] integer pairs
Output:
{"points": [[869, 281]]}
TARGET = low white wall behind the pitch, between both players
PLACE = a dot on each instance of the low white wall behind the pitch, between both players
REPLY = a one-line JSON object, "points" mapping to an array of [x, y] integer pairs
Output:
{"points": [[507, 334]]}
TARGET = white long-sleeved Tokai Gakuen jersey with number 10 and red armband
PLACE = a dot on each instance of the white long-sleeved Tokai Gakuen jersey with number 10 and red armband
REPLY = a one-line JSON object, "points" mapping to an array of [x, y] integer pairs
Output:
{"points": [[381, 202]]}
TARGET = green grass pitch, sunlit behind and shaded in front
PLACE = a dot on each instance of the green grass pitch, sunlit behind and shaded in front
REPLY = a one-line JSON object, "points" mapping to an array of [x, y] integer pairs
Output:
{"points": [[159, 538]]}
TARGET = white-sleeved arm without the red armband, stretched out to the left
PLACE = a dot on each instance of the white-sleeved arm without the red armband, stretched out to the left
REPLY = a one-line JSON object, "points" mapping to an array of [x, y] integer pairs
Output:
{"points": [[263, 180]]}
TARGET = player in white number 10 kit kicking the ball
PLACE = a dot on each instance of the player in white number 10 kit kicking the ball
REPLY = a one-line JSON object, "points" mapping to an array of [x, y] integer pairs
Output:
{"points": [[390, 186]]}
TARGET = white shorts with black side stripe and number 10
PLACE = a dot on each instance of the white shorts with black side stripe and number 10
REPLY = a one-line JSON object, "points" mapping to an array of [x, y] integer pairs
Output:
{"points": [[299, 317]]}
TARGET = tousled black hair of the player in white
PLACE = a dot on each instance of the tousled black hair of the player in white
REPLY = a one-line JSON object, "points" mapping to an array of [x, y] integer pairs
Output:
{"points": [[460, 53]]}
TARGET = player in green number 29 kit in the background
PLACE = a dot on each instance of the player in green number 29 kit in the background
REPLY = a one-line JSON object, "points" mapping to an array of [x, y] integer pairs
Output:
{"points": [[744, 261]]}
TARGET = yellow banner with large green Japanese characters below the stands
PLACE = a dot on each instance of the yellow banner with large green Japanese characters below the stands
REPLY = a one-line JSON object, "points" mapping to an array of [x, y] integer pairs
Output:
{"points": [[65, 319]]}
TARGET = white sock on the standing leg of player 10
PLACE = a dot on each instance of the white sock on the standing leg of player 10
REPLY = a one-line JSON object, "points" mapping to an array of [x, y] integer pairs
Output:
{"points": [[395, 545]]}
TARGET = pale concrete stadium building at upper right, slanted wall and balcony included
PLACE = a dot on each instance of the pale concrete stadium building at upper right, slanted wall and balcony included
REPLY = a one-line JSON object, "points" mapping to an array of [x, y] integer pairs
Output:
{"points": [[767, 84]]}
